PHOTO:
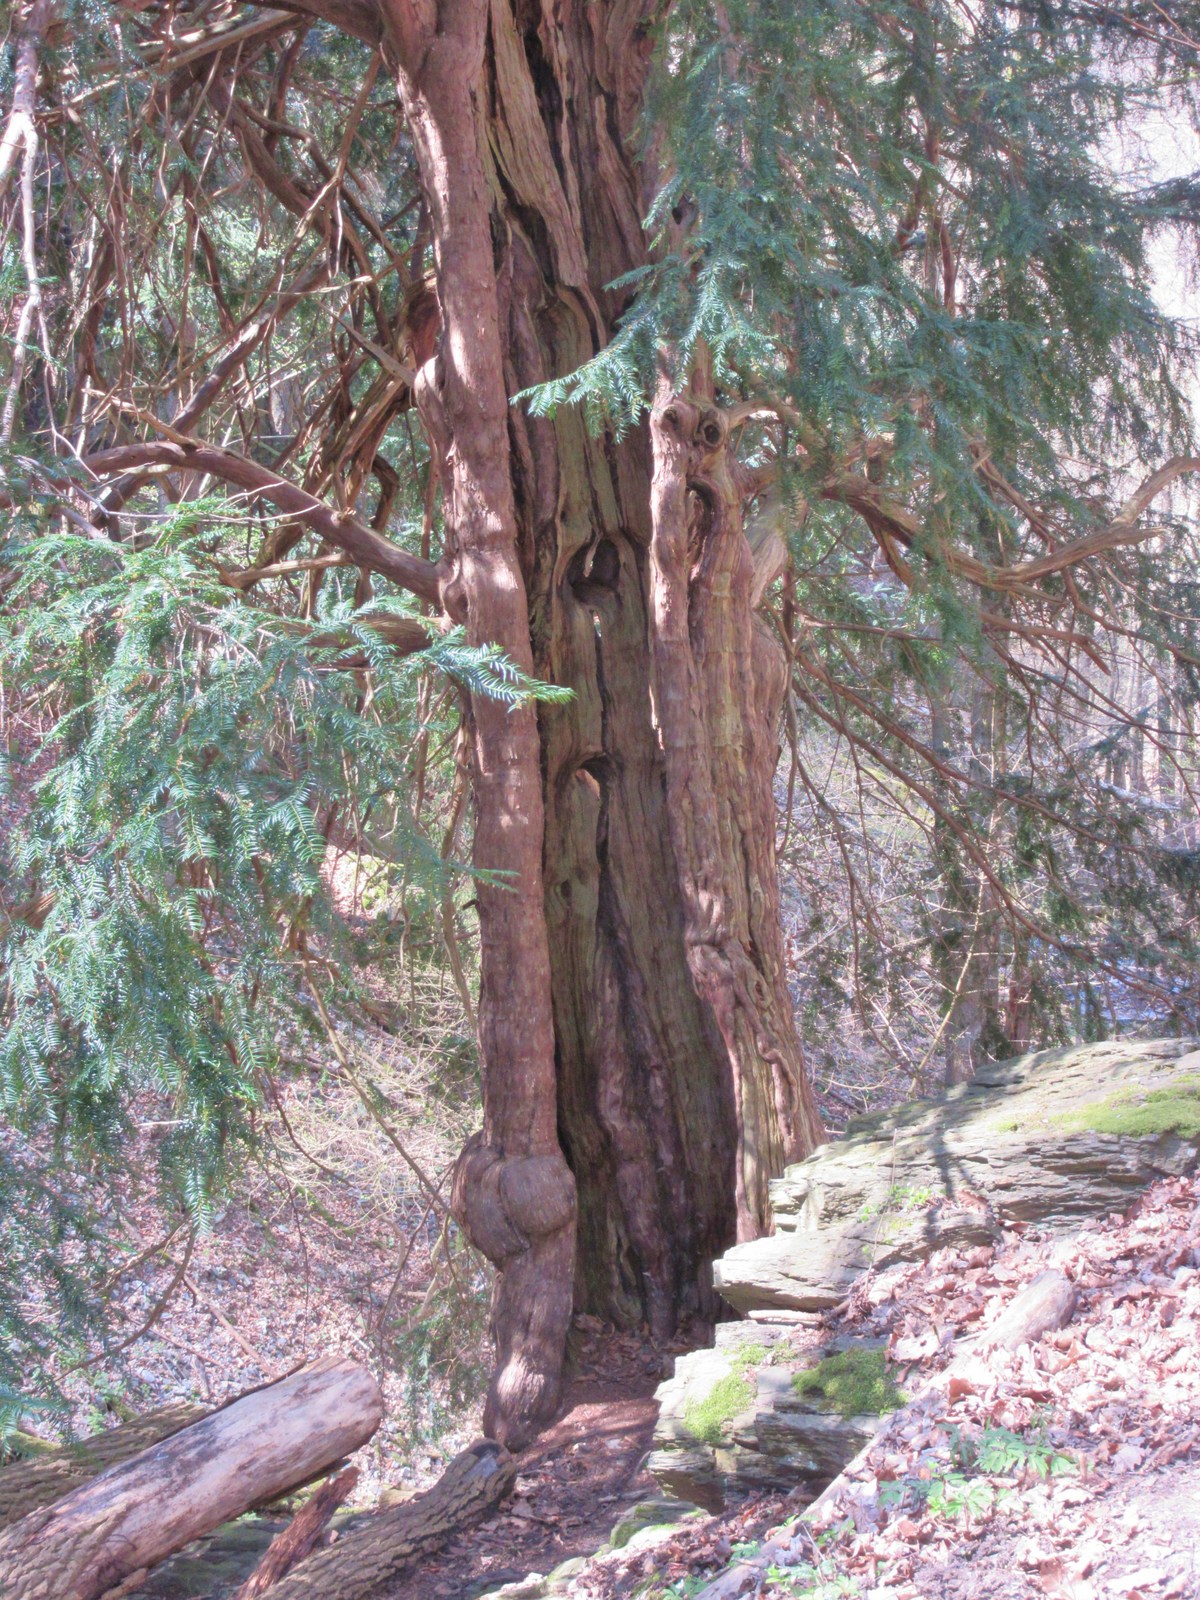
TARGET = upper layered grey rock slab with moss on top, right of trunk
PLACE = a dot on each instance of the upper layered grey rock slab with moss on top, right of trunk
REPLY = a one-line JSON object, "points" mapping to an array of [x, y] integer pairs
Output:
{"points": [[1049, 1138]]}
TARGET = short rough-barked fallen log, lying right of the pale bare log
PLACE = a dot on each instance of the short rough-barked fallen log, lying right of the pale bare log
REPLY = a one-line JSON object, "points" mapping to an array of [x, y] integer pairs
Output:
{"points": [[388, 1542]]}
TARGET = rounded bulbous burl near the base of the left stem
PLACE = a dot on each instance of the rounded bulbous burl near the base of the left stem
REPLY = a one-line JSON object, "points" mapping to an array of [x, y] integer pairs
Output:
{"points": [[505, 1206]]}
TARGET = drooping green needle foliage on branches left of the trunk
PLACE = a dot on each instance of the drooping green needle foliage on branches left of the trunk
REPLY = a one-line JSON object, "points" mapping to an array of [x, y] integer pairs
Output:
{"points": [[166, 906]]}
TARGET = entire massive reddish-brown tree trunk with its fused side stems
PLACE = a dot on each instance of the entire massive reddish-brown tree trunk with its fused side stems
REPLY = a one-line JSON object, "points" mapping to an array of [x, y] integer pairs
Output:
{"points": [[642, 982]]}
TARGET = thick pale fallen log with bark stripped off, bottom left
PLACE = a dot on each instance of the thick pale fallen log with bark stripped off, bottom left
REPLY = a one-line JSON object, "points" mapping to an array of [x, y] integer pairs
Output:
{"points": [[145, 1510]]}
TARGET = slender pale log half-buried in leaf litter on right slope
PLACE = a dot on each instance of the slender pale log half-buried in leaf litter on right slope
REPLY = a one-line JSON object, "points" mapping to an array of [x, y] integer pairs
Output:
{"points": [[1046, 1305]]}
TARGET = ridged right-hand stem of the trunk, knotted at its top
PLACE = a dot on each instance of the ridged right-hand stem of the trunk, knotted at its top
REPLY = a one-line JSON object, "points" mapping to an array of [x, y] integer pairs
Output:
{"points": [[719, 682]]}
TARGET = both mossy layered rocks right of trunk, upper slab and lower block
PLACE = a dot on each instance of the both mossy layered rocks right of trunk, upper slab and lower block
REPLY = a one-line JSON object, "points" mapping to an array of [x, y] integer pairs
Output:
{"points": [[1049, 1140]]}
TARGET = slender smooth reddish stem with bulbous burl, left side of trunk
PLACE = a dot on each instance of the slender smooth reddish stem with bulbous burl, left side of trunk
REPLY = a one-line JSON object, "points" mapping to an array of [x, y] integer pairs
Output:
{"points": [[514, 1193]]}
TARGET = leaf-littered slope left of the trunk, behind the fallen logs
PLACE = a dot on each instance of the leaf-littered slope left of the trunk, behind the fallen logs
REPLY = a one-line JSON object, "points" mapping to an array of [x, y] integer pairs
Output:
{"points": [[330, 1244]]}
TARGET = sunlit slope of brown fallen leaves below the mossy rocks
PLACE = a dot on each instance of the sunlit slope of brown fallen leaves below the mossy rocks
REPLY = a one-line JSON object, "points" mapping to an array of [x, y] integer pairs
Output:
{"points": [[1070, 1470]]}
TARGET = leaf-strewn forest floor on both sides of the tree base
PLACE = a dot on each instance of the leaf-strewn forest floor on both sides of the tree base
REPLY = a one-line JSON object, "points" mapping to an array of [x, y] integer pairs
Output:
{"points": [[1070, 1471]]}
